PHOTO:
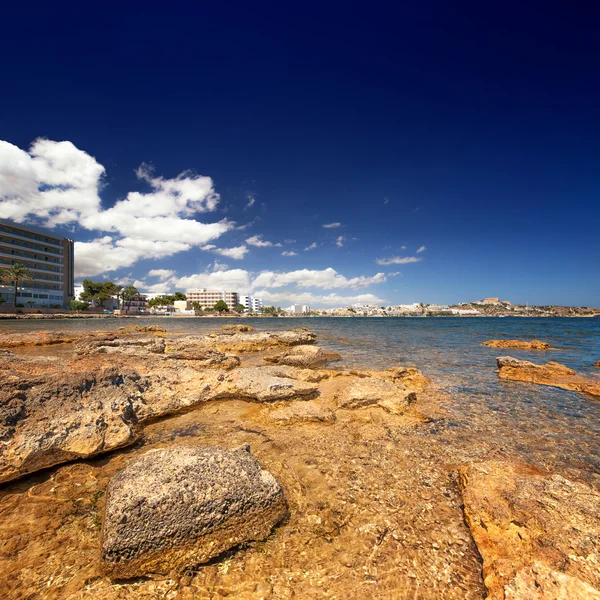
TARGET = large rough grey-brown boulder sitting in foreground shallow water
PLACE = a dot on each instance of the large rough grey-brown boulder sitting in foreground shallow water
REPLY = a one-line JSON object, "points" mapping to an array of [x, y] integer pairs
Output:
{"points": [[179, 507]]}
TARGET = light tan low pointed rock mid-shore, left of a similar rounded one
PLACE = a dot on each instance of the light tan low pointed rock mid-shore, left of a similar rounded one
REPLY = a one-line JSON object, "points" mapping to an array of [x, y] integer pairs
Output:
{"points": [[256, 383]]}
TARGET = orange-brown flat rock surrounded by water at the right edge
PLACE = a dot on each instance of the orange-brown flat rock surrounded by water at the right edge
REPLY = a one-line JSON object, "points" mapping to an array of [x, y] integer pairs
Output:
{"points": [[551, 373]]}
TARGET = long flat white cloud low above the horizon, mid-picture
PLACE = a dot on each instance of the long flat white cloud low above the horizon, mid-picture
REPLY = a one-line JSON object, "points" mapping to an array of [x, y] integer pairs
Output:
{"points": [[305, 278]]}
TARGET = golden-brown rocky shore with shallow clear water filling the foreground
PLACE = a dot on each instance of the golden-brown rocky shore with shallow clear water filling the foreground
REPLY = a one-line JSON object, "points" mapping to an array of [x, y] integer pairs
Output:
{"points": [[240, 464]]}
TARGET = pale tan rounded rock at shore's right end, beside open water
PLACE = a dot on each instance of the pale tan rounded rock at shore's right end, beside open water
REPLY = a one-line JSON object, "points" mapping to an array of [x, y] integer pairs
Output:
{"points": [[369, 391]]}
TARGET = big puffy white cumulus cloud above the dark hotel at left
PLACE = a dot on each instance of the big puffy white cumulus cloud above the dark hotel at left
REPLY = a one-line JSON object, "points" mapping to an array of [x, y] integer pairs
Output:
{"points": [[55, 183]]}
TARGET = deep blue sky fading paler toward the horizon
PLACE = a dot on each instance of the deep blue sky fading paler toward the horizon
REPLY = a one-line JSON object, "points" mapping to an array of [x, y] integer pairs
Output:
{"points": [[470, 129]]}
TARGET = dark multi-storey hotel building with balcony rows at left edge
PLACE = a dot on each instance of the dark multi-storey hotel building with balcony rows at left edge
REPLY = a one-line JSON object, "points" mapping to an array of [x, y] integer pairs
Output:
{"points": [[49, 258]]}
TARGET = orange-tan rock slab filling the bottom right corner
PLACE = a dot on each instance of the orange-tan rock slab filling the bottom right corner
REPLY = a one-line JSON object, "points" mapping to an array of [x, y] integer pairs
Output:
{"points": [[537, 533]]}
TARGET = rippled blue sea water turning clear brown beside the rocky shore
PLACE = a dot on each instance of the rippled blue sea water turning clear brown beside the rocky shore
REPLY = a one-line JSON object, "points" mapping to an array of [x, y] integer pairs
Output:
{"points": [[554, 428]]}
